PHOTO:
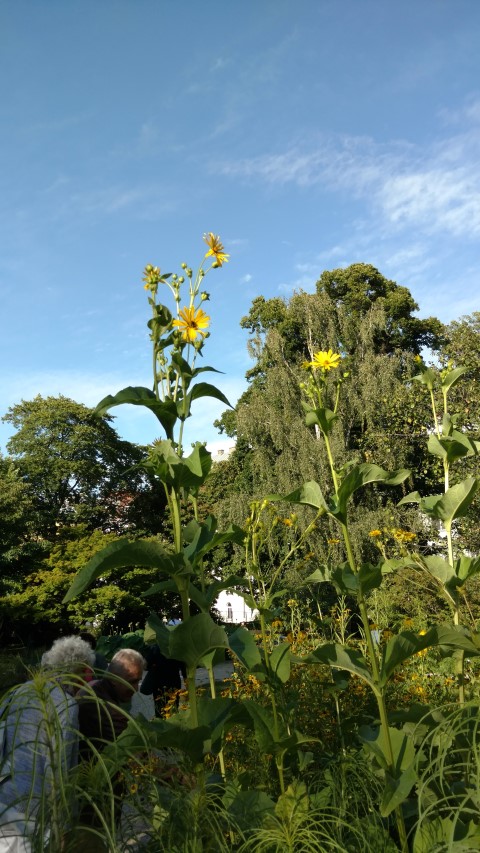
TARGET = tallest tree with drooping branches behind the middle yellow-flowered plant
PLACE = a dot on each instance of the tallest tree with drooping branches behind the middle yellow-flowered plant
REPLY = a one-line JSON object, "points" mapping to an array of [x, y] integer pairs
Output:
{"points": [[369, 321]]}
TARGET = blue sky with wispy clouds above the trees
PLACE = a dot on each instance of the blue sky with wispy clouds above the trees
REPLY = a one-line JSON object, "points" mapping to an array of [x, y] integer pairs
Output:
{"points": [[309, 134]]}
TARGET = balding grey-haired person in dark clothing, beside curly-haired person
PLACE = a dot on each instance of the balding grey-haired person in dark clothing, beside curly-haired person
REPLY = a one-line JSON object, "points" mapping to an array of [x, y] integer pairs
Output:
{"points": [[104, 704]]}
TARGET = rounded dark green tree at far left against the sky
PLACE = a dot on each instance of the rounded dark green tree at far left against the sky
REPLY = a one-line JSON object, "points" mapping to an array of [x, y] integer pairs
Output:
{"points": [[77, 469]]}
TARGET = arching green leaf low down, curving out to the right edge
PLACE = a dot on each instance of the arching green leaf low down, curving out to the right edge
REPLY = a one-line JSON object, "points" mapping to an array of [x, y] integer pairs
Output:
{"points": [[407, 643]]}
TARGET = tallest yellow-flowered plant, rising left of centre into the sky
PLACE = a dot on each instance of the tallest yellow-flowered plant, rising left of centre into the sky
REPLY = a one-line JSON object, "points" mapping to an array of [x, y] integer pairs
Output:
{"points": [[178, 334]]}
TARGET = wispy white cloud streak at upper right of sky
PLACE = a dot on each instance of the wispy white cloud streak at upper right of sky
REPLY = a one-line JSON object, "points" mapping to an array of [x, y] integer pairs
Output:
{"points": [[436, 189]]}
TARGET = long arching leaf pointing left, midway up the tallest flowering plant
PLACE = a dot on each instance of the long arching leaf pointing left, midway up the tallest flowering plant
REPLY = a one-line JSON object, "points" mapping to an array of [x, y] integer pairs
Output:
{"points": [[120, 554]]}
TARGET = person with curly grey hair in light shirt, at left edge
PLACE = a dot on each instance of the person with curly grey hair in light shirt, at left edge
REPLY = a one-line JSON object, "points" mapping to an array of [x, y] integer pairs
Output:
{"points": [[39, 742]]}
